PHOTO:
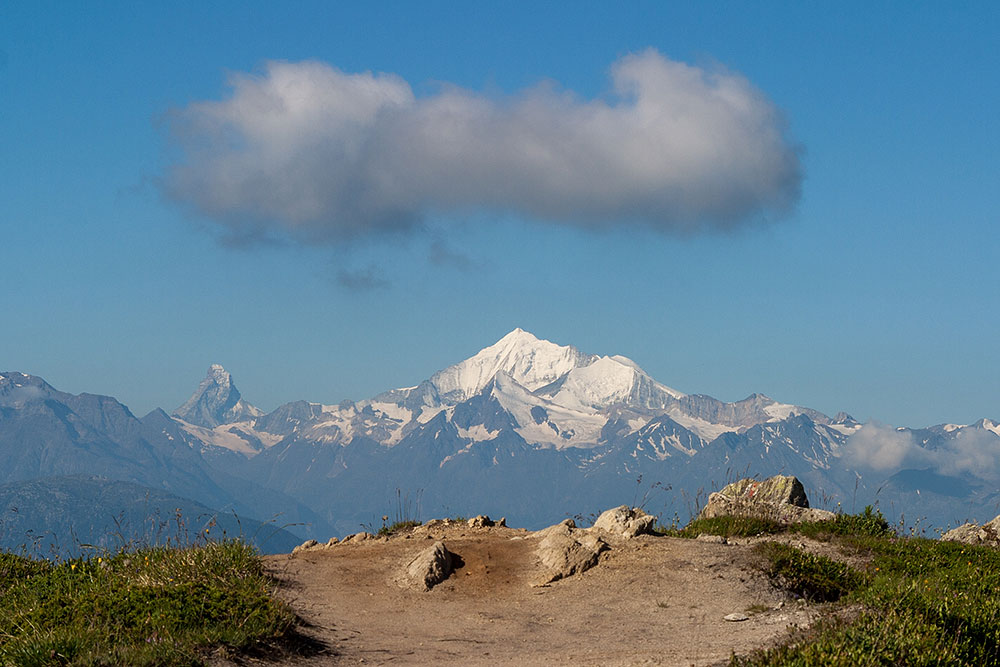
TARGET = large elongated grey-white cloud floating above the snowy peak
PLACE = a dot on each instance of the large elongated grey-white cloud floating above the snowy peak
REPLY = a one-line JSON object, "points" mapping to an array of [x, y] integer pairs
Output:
{"points": [[308, 151]]}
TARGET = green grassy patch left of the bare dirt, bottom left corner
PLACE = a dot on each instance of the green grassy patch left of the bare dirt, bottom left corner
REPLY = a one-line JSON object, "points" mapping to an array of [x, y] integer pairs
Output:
{"points": [[157, 606]]}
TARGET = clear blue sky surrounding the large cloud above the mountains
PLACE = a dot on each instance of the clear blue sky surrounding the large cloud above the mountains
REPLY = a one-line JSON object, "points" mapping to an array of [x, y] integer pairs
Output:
{"points": [[875, 292]]}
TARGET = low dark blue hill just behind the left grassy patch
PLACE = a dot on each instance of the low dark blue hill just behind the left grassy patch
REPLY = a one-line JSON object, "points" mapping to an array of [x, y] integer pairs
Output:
{"points": [[61, 514]]}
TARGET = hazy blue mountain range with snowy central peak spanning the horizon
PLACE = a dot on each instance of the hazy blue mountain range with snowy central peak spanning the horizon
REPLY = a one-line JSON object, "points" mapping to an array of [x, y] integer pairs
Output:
{"points": [[525, 428]]}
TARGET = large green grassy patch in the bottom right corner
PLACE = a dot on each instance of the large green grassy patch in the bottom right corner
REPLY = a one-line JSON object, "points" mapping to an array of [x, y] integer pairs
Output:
{"points": [[918, 602]]}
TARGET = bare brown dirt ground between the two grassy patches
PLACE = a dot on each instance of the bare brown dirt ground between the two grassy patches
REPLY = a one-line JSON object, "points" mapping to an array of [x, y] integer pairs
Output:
{"points": [[650, 601]]}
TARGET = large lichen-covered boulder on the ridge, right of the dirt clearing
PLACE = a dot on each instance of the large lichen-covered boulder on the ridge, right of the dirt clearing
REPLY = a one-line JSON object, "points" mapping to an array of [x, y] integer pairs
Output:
{"points": [[780, 498]]}
